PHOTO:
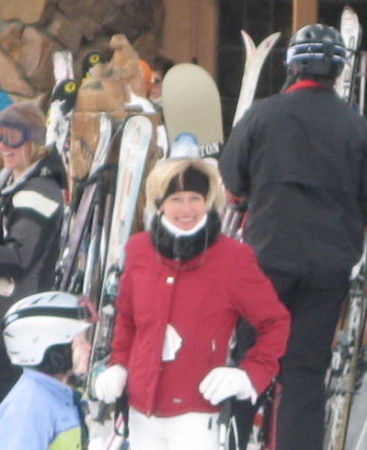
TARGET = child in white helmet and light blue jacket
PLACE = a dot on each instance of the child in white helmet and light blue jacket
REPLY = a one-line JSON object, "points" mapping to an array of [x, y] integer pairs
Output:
{"points": [[45, 334]]}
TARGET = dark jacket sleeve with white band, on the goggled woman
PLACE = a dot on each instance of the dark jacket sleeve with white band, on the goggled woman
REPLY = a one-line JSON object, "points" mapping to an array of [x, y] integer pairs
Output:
{"points": [[32, 218]]}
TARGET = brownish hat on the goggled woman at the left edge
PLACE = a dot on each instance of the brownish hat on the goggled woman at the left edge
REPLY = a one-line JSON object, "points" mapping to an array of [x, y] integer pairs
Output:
{"points": [[28, 117]]}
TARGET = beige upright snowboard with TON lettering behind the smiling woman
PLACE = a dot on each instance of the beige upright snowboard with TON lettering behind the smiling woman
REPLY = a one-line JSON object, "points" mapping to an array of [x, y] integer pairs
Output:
{"points": [[192, 107]]}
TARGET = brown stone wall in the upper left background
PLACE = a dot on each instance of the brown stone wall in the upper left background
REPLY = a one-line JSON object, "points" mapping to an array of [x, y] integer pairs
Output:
{"points": [[32, 30]]}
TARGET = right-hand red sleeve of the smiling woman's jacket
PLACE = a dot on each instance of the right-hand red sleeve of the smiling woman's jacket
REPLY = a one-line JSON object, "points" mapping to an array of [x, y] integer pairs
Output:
{"points": [[256, 300]]}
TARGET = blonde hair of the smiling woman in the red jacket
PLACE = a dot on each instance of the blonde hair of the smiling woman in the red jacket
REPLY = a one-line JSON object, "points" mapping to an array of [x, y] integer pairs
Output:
{"points": [[162, 174]]}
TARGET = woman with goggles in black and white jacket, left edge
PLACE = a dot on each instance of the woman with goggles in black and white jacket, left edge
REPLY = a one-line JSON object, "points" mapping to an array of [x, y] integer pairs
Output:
{"points": [[31, 212]]}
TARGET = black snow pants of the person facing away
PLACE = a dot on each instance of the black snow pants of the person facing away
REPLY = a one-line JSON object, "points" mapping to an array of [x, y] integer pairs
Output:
{"points": [[314, 302]]}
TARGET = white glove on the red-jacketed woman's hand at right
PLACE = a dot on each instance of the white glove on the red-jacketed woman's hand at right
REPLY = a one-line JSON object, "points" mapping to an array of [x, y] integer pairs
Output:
{"points": [[224, 382]]}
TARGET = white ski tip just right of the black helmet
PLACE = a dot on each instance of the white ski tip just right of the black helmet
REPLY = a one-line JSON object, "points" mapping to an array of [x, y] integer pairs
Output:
{"points": [[351, 32]]}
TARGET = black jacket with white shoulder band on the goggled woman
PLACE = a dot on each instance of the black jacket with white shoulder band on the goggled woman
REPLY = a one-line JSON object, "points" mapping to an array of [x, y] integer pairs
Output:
{"points": [[31, 213]]}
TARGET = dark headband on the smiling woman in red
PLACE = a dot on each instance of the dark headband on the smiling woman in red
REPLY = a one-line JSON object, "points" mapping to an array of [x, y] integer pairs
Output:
{"points": [[191, 180]]}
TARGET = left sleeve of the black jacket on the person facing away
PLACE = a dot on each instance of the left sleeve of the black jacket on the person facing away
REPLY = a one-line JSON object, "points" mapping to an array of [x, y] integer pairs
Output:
{"points": [[235, 157]]}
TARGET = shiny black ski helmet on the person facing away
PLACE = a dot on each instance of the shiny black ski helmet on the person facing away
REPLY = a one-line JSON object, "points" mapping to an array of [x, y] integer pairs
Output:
{"points": [[316, 50]]}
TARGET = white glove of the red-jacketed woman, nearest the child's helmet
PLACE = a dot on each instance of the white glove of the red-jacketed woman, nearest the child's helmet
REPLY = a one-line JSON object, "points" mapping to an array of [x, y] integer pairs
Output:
{"points": [[110, 383]]}
